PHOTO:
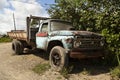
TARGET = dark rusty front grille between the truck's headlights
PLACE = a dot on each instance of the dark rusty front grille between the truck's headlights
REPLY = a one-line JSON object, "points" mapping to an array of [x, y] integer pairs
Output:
{"points": [[88, 42]]}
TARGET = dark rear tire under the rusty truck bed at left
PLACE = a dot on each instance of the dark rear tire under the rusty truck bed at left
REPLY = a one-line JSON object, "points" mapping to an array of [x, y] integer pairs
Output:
{"points": [[17, 47]]}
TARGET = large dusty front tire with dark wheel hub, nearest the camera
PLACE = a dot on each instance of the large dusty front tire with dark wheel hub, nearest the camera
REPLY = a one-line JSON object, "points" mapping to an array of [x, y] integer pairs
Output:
{"points": [[58, 58]]}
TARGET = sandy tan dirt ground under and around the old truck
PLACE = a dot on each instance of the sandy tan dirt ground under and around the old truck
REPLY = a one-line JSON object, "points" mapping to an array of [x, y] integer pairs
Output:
{"points": [[19, 67]]}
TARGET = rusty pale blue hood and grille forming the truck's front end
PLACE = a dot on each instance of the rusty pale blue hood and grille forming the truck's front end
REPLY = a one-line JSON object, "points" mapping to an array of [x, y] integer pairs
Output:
{"points": [[85, 39]]}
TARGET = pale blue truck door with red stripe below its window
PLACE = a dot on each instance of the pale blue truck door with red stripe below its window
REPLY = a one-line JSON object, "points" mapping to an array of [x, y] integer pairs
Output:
{"points": [[42, 36]]}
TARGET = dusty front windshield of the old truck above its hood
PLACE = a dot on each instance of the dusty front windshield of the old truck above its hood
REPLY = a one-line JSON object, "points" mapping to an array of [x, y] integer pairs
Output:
{"points": [[60, 25]]}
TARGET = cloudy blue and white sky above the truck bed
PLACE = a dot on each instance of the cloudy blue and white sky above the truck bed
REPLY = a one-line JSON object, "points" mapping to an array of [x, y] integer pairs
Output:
{"points": [[21, 9]]}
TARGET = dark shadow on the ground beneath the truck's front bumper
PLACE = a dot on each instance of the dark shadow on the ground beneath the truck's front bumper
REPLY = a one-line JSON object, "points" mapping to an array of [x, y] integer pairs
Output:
{"points": [[92, 66]]}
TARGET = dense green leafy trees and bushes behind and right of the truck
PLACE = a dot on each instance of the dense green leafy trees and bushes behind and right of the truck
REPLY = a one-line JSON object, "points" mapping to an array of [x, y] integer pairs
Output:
{"points": [[102, 16]]}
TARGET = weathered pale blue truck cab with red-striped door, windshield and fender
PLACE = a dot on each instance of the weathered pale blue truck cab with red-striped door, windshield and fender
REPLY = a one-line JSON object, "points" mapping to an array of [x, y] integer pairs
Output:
{"points": [[49, 31]]}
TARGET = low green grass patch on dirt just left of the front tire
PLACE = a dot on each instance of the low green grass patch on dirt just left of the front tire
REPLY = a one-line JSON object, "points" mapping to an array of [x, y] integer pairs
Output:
{"points": [[41, 68]]}
